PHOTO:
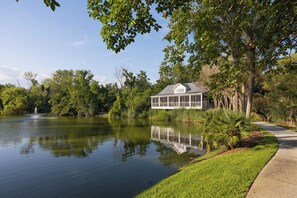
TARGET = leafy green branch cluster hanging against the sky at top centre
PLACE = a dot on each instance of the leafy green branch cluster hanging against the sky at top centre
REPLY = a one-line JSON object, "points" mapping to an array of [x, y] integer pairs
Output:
{"points": [[122, 20]]}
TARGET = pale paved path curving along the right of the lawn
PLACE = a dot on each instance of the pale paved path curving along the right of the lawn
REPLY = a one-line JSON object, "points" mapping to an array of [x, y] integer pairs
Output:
{"points": [[279, 177]]}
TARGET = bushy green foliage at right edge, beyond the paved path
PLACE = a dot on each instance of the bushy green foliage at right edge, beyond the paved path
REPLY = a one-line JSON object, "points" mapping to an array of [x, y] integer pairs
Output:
{"points": [[276, 99]]}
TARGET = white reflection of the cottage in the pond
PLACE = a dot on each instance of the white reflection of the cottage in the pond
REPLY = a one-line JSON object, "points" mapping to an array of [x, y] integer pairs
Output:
{"points": [[181, 143]]}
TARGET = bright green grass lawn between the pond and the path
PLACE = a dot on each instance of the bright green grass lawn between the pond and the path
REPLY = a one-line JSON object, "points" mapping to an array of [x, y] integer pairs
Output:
{"points": [[220, 176]]}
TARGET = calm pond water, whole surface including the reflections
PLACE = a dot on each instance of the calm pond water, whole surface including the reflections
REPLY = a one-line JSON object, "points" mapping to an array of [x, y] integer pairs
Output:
{"points": [[89, 157]]}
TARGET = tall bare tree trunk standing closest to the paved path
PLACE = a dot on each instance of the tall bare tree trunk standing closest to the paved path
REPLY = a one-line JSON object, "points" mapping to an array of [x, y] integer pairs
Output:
{"points": [[252, 64]]}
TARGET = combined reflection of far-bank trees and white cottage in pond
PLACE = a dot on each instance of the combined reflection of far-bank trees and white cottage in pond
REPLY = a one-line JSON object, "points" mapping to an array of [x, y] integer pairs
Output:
{"points": [[80, 139]]}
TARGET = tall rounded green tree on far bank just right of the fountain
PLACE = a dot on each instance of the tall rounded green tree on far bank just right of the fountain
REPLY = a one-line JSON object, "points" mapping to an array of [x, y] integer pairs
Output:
{"points": [[71, 93]]}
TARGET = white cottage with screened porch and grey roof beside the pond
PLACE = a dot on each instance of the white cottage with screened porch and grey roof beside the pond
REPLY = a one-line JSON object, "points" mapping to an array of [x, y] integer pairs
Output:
{"points": [[187, 95]]}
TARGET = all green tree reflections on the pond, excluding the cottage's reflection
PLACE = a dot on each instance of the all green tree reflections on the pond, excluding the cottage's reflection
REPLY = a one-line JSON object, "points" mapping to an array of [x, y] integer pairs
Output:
{"points": [[80, 140]]}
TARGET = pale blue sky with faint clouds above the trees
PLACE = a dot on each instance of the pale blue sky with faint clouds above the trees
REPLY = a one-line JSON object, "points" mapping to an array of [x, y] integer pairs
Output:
{"points": [[36, 39]]}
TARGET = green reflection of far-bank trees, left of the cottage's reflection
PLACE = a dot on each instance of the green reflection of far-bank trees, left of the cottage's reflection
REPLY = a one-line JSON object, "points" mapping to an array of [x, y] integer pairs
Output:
{"points": [[128, 140]]}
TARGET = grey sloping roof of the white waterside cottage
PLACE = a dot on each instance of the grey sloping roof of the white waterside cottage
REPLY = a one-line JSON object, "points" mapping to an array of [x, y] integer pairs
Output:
{"points": [[191, 88]]}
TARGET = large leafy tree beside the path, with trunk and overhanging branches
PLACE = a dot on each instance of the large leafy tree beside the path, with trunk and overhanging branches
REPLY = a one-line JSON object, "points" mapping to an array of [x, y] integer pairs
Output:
{"points": [[256, 30]]}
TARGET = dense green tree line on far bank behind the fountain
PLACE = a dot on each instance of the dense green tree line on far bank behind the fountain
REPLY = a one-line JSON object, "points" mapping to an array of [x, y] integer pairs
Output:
{"points": [[66, 93]]}
